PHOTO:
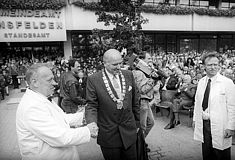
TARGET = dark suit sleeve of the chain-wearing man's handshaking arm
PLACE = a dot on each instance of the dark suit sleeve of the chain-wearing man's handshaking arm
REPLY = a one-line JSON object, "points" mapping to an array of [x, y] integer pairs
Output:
{"points": [[92, 102]]}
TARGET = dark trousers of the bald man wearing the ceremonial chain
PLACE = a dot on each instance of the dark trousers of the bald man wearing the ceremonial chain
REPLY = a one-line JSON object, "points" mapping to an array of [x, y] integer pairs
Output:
{"points": [[120, 153]]}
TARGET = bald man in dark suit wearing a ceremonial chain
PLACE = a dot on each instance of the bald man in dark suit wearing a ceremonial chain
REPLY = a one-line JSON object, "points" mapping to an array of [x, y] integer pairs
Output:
{"points": [[113, 105]]}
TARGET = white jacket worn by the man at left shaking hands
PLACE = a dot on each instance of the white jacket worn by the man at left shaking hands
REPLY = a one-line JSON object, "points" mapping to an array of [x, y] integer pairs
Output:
{"points": [[44, 132]]}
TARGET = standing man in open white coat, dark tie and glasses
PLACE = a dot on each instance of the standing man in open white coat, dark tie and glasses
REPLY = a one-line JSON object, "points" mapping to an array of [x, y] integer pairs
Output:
{"points": [[215, 123]]}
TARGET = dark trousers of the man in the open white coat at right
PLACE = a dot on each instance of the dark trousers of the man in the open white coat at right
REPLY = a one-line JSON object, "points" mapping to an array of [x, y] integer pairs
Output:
{"points": [[208, 152]]}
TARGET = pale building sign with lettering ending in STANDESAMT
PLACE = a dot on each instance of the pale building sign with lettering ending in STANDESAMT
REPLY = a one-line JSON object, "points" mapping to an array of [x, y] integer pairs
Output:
{"points": [[32, 25]]}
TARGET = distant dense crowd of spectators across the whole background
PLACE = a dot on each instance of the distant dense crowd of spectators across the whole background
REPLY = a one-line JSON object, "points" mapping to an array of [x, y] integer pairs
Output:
{"points": [[189, 63]]}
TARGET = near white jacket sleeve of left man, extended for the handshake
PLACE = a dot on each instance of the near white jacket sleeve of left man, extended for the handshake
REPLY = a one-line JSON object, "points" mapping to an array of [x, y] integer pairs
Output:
{"points": [[46, 124]]}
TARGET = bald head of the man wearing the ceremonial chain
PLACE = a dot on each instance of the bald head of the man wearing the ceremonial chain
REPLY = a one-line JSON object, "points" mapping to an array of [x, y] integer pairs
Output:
{"points": [[112, 61]]}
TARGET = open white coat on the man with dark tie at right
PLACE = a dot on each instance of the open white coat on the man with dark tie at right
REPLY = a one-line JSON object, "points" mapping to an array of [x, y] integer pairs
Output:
{"points": [[221, 110]]}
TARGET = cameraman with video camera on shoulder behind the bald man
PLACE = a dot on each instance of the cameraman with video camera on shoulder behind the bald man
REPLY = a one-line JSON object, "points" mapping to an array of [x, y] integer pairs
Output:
{"points": [[145, 87]]}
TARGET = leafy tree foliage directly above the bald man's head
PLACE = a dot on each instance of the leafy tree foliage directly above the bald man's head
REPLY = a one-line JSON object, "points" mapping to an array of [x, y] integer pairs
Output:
{"points": [[126, 21]]}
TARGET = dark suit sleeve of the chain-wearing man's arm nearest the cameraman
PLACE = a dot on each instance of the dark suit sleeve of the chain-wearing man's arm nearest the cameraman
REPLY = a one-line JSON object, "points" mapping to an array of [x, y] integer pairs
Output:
{"points": [[135, 102]]}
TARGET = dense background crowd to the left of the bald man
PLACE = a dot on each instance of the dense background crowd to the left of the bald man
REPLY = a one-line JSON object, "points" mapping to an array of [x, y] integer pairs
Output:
{"points": [[13, 69]]}
